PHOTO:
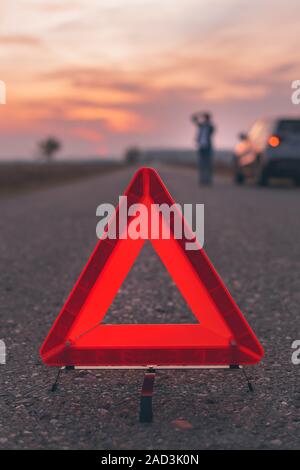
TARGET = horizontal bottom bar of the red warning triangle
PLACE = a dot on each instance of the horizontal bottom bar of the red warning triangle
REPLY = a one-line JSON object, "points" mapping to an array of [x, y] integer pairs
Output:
{"points": [[144, 345]]}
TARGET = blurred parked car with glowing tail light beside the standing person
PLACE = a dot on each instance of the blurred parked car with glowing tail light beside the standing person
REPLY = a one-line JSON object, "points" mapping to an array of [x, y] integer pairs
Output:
{"points": [[270, 149]]}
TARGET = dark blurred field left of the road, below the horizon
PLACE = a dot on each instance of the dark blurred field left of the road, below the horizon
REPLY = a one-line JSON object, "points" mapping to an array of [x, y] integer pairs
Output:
{"points": [[18, 177]]}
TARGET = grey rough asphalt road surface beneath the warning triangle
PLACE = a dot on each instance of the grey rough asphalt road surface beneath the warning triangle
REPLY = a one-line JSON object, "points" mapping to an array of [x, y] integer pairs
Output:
{"points": [[252, 237]]}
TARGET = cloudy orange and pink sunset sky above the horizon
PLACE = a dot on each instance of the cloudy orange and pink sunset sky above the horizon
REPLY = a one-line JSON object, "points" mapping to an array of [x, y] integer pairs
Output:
{"points": [[105, 74]]}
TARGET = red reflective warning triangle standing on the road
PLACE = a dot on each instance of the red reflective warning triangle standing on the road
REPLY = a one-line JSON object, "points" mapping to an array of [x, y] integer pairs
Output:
{"points": [[79, 338]]}
